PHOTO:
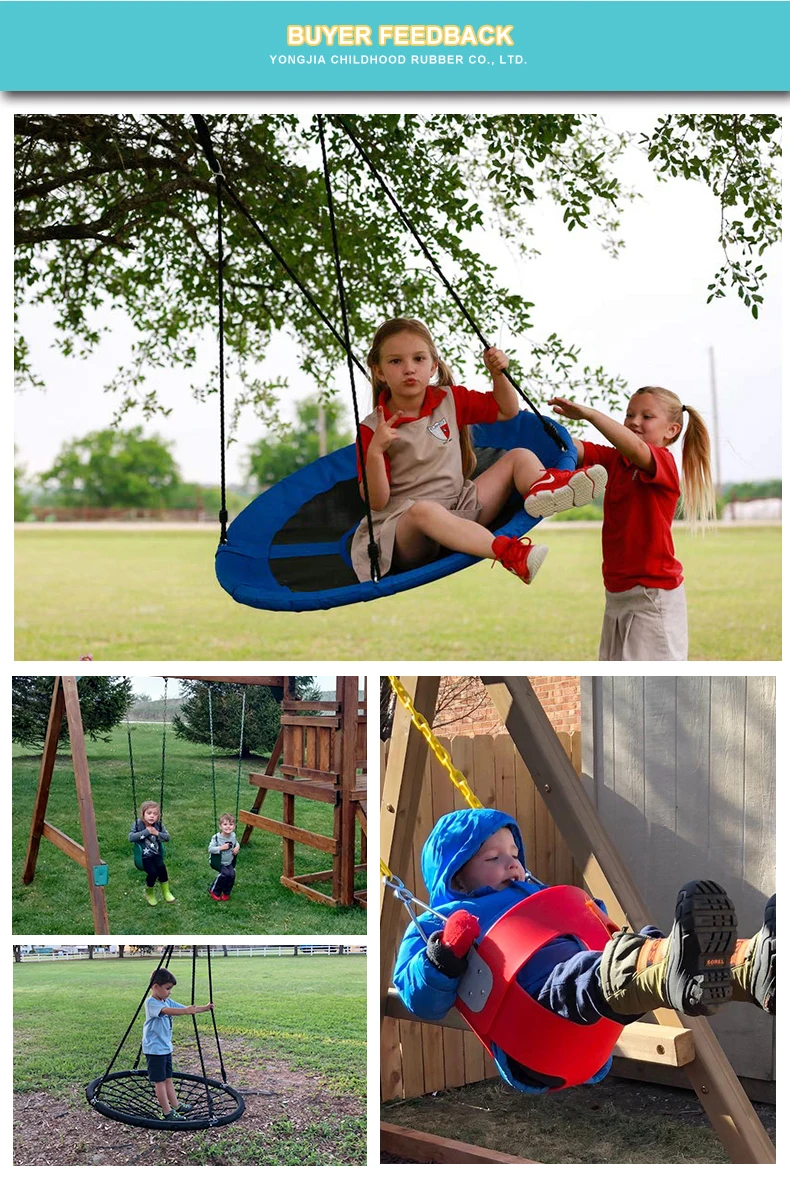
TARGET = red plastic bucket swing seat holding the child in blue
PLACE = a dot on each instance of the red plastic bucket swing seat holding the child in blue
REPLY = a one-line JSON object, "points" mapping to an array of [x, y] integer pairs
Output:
{"points": [[542, 1042]]}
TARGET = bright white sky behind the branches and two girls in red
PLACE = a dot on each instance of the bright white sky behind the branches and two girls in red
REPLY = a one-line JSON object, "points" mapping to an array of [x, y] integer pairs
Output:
{"points": [[642, 317]]}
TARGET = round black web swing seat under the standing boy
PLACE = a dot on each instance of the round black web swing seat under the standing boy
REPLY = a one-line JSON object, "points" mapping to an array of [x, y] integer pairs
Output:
{"points": [[129, 1097]]}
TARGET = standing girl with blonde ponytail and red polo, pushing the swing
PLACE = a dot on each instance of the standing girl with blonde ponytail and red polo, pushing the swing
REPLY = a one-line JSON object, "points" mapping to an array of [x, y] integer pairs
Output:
{"points": [[646, 615]]}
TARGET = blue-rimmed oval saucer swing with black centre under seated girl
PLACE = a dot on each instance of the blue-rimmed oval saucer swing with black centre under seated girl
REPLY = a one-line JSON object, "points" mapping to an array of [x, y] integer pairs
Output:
{"points": [[289, 549]]}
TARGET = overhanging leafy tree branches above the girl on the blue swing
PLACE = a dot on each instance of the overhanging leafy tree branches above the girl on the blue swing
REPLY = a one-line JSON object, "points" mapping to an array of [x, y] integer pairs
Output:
{"points": [[117, 210]]}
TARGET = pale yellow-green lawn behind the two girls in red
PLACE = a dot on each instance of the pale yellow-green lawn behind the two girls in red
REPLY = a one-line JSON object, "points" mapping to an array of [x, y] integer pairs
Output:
{"points": [[153, 596]]}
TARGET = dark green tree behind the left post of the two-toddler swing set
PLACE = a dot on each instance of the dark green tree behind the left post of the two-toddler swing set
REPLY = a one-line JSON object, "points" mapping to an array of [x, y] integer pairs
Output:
{"points": [[104, 702]]}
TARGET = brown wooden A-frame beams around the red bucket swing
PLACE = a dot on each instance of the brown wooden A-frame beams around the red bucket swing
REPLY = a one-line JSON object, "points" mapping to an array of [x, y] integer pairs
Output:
{"points": [[688, 1044]]}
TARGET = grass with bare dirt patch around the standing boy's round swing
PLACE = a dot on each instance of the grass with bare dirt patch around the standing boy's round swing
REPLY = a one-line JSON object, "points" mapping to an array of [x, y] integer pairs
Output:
{"points": [[294, 1042]]}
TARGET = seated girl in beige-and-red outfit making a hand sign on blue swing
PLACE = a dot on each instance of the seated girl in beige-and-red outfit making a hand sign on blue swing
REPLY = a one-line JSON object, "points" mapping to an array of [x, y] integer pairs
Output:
{"points": [[419, 462]]}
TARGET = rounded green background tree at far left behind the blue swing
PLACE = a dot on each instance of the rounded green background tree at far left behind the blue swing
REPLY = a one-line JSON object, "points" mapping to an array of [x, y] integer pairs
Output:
{"points": [[113, 470]]}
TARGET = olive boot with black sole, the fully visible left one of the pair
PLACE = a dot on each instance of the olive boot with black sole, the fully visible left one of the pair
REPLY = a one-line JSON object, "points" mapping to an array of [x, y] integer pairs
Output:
{"points": [[689, 971]]}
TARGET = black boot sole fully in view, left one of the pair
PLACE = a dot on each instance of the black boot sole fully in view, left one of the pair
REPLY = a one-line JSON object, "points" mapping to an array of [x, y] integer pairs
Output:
{"points": [[699, 977]]}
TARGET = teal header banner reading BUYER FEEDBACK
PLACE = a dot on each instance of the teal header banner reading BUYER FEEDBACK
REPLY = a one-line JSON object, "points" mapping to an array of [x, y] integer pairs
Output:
{"points": [[562, 47]]}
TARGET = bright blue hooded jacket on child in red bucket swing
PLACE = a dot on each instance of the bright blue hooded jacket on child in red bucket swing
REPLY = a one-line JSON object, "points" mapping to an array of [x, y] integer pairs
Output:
{"points": [[429, 993]]}
